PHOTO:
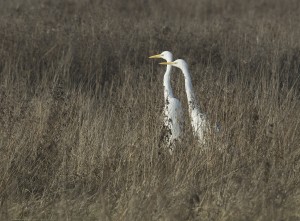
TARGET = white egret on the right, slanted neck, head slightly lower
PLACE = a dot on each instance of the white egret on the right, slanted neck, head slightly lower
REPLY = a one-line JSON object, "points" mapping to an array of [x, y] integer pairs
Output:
{"points": [[198, 120]]}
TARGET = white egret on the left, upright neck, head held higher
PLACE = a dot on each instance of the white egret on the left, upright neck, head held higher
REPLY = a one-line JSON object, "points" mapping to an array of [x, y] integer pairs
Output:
{"points": [[173, 120]]}
